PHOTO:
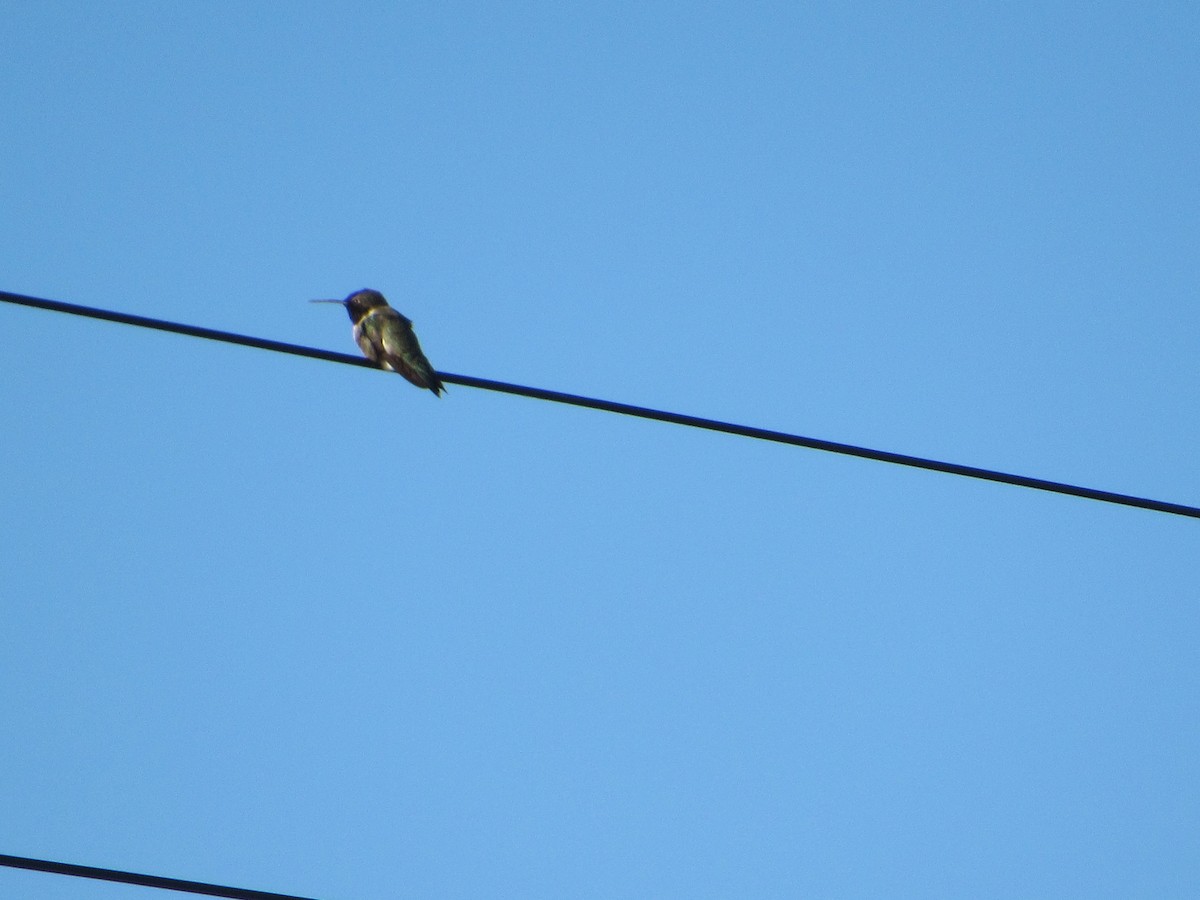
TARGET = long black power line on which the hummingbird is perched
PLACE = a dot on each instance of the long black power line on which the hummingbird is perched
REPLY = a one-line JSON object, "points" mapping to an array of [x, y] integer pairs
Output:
{"points": [[951, 469]]}
